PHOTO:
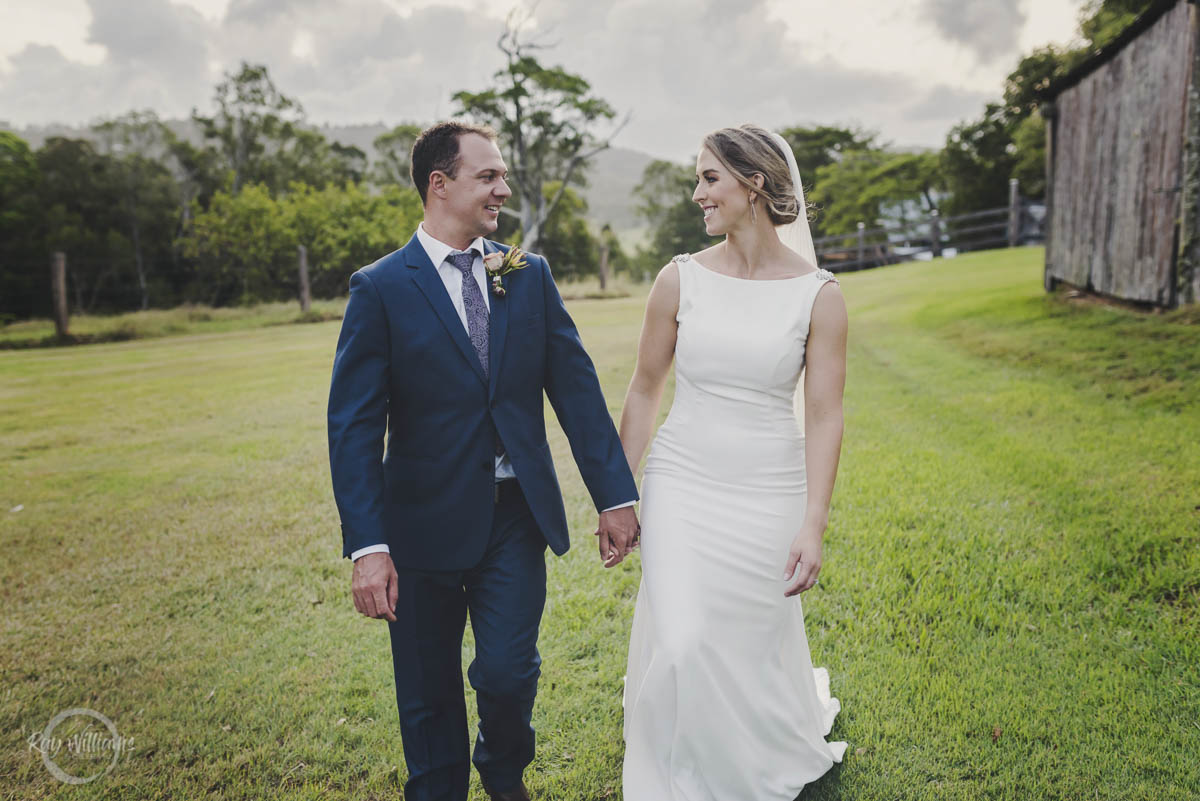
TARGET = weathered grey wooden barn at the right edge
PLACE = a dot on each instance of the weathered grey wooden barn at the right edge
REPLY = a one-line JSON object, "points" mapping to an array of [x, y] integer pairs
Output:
{"points": [[1124, 165]]}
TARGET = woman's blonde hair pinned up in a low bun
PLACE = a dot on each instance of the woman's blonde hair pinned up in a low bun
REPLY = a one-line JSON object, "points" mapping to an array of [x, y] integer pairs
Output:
{"points": [[749, 149]]}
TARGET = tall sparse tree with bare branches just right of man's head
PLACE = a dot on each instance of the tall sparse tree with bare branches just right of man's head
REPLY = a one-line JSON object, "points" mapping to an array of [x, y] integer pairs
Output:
{"points": [[548, 123]]}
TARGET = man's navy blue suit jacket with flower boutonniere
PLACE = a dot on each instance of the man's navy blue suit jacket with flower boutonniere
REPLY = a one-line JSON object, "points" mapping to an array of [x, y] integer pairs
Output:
{"points": [[405, 365]]}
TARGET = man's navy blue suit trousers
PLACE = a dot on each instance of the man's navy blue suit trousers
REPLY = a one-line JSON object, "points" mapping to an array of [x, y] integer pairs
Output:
{"points": [[505, 595]]}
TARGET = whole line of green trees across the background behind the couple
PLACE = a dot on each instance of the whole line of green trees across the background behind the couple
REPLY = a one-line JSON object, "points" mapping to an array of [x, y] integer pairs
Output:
{"points": [[148, 216]]}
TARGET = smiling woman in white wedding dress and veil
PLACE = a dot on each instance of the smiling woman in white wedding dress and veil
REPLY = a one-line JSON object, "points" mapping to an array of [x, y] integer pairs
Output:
{"points": [[722, 700]]}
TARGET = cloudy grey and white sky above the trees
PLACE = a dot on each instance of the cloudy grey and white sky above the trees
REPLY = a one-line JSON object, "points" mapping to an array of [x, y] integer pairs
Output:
{"points": [[908, 69]]}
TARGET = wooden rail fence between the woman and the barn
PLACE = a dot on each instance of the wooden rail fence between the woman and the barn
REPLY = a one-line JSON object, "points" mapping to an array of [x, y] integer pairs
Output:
{"points": [[1018, 224]]}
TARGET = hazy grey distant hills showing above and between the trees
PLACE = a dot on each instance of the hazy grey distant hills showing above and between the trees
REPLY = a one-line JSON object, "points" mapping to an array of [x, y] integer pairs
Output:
{"points": [[613, 176]]}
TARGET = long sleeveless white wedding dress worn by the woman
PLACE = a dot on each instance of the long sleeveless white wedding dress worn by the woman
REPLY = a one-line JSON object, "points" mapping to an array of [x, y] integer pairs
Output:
{"points": [[722, 700]]}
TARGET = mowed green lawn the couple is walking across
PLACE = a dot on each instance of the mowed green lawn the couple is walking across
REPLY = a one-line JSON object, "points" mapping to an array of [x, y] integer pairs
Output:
{"points": [[1010, 607]]}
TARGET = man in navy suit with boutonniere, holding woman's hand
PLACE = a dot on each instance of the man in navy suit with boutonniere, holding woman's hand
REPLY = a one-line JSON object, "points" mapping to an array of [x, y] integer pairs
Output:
{"points": [[455, 516]]}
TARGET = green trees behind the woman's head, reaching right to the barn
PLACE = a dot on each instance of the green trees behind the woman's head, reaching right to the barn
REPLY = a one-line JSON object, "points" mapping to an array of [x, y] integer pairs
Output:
{"points": [[851, 176]]}
